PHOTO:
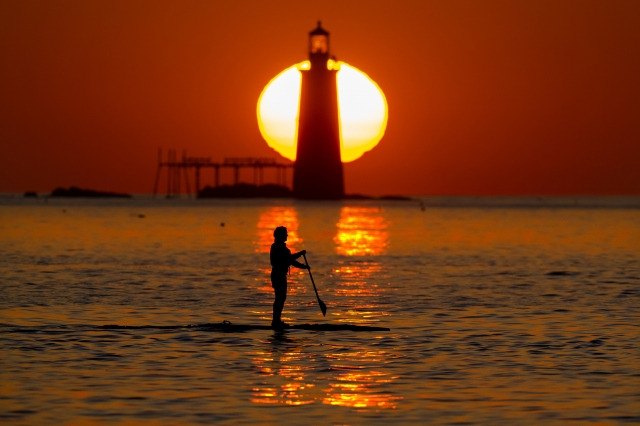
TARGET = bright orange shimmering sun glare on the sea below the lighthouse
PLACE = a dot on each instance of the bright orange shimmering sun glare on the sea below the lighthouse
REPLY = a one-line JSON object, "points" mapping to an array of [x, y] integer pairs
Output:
{"points": [[292, 373]]}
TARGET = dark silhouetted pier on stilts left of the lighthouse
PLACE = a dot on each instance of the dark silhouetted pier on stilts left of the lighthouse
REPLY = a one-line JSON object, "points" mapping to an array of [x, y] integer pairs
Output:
{"points": [[179, 169]]}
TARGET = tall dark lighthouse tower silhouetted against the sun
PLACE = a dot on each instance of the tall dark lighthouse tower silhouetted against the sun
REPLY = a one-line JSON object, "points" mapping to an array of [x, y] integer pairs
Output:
{"points": [[318, 169]]}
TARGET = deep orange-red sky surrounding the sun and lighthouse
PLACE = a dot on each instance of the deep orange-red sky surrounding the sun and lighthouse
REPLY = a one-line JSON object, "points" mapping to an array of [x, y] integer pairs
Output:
{"points": [[485, 97]]}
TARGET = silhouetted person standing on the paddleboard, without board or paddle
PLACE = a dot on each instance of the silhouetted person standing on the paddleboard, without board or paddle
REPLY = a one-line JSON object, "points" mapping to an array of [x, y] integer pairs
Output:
{"points": [[281, 260]]}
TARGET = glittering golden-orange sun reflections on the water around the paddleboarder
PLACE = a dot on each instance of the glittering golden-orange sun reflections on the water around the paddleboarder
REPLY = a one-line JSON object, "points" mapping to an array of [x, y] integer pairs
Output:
{"points": [[359, 232]]}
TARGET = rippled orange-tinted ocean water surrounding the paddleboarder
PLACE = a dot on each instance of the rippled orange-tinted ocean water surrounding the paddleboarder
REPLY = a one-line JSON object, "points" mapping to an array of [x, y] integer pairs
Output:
{"points": [[502, 311]]}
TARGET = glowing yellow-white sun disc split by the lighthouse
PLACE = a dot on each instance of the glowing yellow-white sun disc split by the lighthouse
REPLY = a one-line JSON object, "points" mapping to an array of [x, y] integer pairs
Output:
{"points": [[361, 104]]}
